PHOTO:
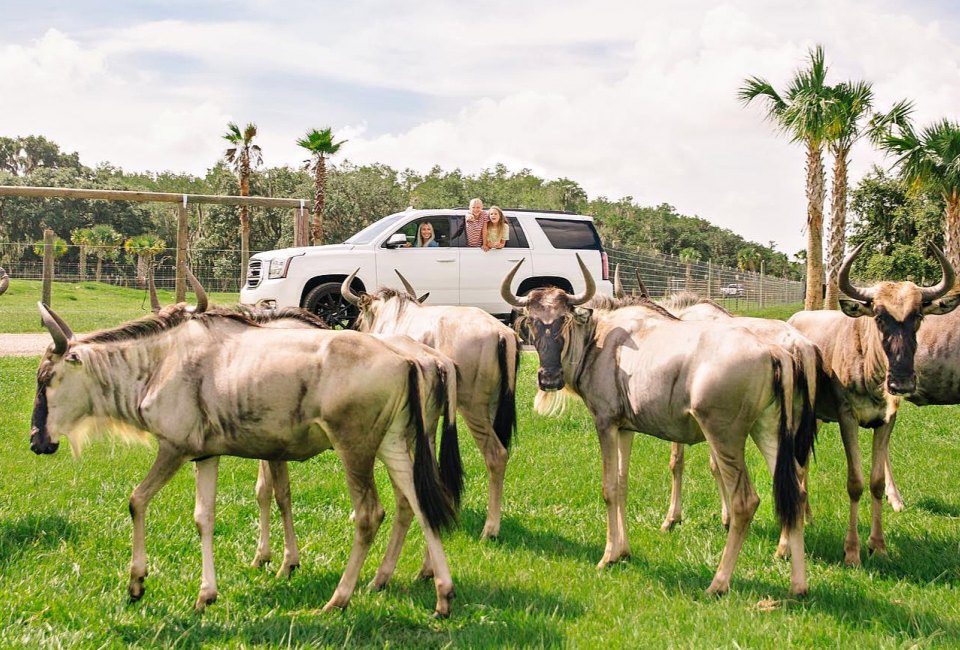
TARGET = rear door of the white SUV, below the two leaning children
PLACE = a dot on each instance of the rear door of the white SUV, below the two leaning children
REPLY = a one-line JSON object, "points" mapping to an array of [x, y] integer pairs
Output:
{"points": [[482, 272]]}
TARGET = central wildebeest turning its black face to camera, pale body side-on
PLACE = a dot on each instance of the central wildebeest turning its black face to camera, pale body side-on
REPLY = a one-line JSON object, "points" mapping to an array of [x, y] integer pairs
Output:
{"points": [[679, 381]]}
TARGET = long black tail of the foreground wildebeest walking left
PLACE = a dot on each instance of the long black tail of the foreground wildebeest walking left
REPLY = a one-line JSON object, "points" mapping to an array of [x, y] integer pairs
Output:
{"points": [[435, 503]]}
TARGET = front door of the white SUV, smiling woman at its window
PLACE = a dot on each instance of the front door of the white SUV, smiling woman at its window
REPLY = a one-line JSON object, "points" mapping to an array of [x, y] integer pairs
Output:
{"points": [[434, 269]]}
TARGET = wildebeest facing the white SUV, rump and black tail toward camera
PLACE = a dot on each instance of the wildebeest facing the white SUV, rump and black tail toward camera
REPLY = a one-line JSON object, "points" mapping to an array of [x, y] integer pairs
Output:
{"points": [[486, 354]]}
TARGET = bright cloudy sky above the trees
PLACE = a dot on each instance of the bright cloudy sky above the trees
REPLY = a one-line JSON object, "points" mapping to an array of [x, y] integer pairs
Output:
{"points": [[628, 98]]}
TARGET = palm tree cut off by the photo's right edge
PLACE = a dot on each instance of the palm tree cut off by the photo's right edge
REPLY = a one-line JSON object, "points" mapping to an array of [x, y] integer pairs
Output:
{"points": [[930, 160]]}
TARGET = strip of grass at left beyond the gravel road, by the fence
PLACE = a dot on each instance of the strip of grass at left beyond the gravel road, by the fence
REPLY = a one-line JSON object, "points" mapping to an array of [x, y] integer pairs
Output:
{"points": [[85, 306]]}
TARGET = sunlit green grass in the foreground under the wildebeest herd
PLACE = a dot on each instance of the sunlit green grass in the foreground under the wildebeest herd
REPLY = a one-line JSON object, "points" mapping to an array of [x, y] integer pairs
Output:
{"points": [[65, 547]]}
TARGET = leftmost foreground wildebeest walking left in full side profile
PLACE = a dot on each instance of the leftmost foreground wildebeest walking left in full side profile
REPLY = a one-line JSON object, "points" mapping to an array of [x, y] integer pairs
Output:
{"points": [[206, 385]]}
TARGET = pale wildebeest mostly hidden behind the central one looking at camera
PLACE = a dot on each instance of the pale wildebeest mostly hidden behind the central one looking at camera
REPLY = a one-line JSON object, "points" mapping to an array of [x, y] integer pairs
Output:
{"points": [[690, 307]]}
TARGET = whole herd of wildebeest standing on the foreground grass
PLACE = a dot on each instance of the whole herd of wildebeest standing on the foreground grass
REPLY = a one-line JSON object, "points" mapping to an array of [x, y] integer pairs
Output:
{"points": [[279, 385]]}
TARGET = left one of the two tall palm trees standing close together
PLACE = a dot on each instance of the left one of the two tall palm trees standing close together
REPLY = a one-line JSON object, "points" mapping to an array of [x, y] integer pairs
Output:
{"points": [[801, 113]]}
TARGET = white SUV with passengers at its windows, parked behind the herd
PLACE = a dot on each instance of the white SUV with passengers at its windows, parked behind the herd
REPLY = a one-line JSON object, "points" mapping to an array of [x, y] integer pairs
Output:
{"points": [[452, 272]]}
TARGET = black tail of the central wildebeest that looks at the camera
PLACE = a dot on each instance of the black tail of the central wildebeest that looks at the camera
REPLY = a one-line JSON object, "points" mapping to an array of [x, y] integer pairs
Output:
{"points": [[786, 485]]}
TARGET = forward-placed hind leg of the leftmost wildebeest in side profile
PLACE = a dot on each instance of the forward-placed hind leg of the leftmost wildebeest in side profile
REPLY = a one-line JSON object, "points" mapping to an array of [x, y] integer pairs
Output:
{"points": [[368, 513]]}
